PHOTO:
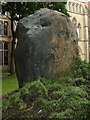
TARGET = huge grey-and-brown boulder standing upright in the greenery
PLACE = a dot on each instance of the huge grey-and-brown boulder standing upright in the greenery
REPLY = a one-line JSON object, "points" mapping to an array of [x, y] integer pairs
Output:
{"points": [[47, 44]]}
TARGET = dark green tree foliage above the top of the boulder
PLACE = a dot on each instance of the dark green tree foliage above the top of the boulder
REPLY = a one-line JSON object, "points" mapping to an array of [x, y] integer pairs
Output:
{"points": [[22, 9]]}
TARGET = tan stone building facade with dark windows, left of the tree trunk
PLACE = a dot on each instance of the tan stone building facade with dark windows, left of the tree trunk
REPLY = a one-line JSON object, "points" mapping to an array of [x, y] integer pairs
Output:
{"points": [[5, 41]]}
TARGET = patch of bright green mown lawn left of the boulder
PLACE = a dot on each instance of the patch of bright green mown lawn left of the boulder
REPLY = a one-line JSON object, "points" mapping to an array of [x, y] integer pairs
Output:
{"points": [[9, 84]]}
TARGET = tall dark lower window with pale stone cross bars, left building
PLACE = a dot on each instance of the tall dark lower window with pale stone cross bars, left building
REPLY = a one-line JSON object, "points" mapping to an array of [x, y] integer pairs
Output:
{"points": [[3, 53]]}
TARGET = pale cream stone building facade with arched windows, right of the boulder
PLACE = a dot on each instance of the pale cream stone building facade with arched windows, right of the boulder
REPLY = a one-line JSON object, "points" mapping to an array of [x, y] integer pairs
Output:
{"points": [[80, 15]]}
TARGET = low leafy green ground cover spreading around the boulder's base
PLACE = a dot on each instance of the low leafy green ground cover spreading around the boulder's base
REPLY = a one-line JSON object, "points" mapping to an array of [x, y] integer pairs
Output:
{"points": [[67, 97]]}
